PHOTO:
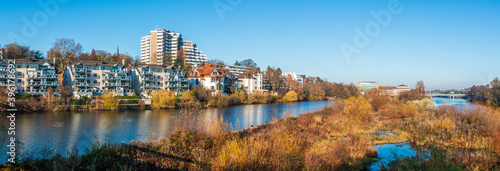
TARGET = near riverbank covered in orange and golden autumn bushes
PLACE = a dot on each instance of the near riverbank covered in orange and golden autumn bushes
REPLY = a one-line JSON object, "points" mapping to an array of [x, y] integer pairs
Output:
{"points": [[339, 137]]}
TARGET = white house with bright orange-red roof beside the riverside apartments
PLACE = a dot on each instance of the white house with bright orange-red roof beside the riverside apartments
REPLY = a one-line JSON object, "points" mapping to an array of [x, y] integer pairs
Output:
{"points": [[211, 78]]}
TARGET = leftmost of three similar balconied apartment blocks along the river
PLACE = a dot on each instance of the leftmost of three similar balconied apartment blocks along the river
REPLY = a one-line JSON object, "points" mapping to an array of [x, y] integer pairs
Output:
{"points": [[33, 76]]}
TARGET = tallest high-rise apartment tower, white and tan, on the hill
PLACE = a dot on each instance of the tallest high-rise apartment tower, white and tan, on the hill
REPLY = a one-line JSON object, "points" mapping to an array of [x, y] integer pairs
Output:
{"points": [[160, 45]]}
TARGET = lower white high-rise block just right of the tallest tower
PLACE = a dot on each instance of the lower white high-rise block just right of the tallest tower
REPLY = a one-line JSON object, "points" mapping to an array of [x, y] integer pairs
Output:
{"points": [[193, 57]]}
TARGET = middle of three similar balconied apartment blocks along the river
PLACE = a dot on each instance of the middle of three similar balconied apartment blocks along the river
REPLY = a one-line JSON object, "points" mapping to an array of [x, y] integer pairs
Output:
{"points": [[93, 78]]}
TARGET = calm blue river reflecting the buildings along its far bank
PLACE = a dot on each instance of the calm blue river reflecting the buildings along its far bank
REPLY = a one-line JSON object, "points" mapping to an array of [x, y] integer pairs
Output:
{"points": [[75, 131]]}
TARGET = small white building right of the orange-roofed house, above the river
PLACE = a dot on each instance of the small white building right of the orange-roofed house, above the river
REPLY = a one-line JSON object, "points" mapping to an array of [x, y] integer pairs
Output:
{"points": [[251, 83]]}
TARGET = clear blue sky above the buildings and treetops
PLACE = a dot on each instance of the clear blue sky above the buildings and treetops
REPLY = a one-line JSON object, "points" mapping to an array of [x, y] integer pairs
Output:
{"points": [[447, 44]]}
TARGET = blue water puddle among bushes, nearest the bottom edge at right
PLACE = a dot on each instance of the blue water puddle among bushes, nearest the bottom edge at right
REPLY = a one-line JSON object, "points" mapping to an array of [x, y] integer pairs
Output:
{"points": [[387, 152]]}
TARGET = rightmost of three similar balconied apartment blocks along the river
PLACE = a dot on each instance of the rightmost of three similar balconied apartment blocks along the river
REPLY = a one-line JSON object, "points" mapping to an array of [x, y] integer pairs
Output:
{"points": [[149, 77]]}
